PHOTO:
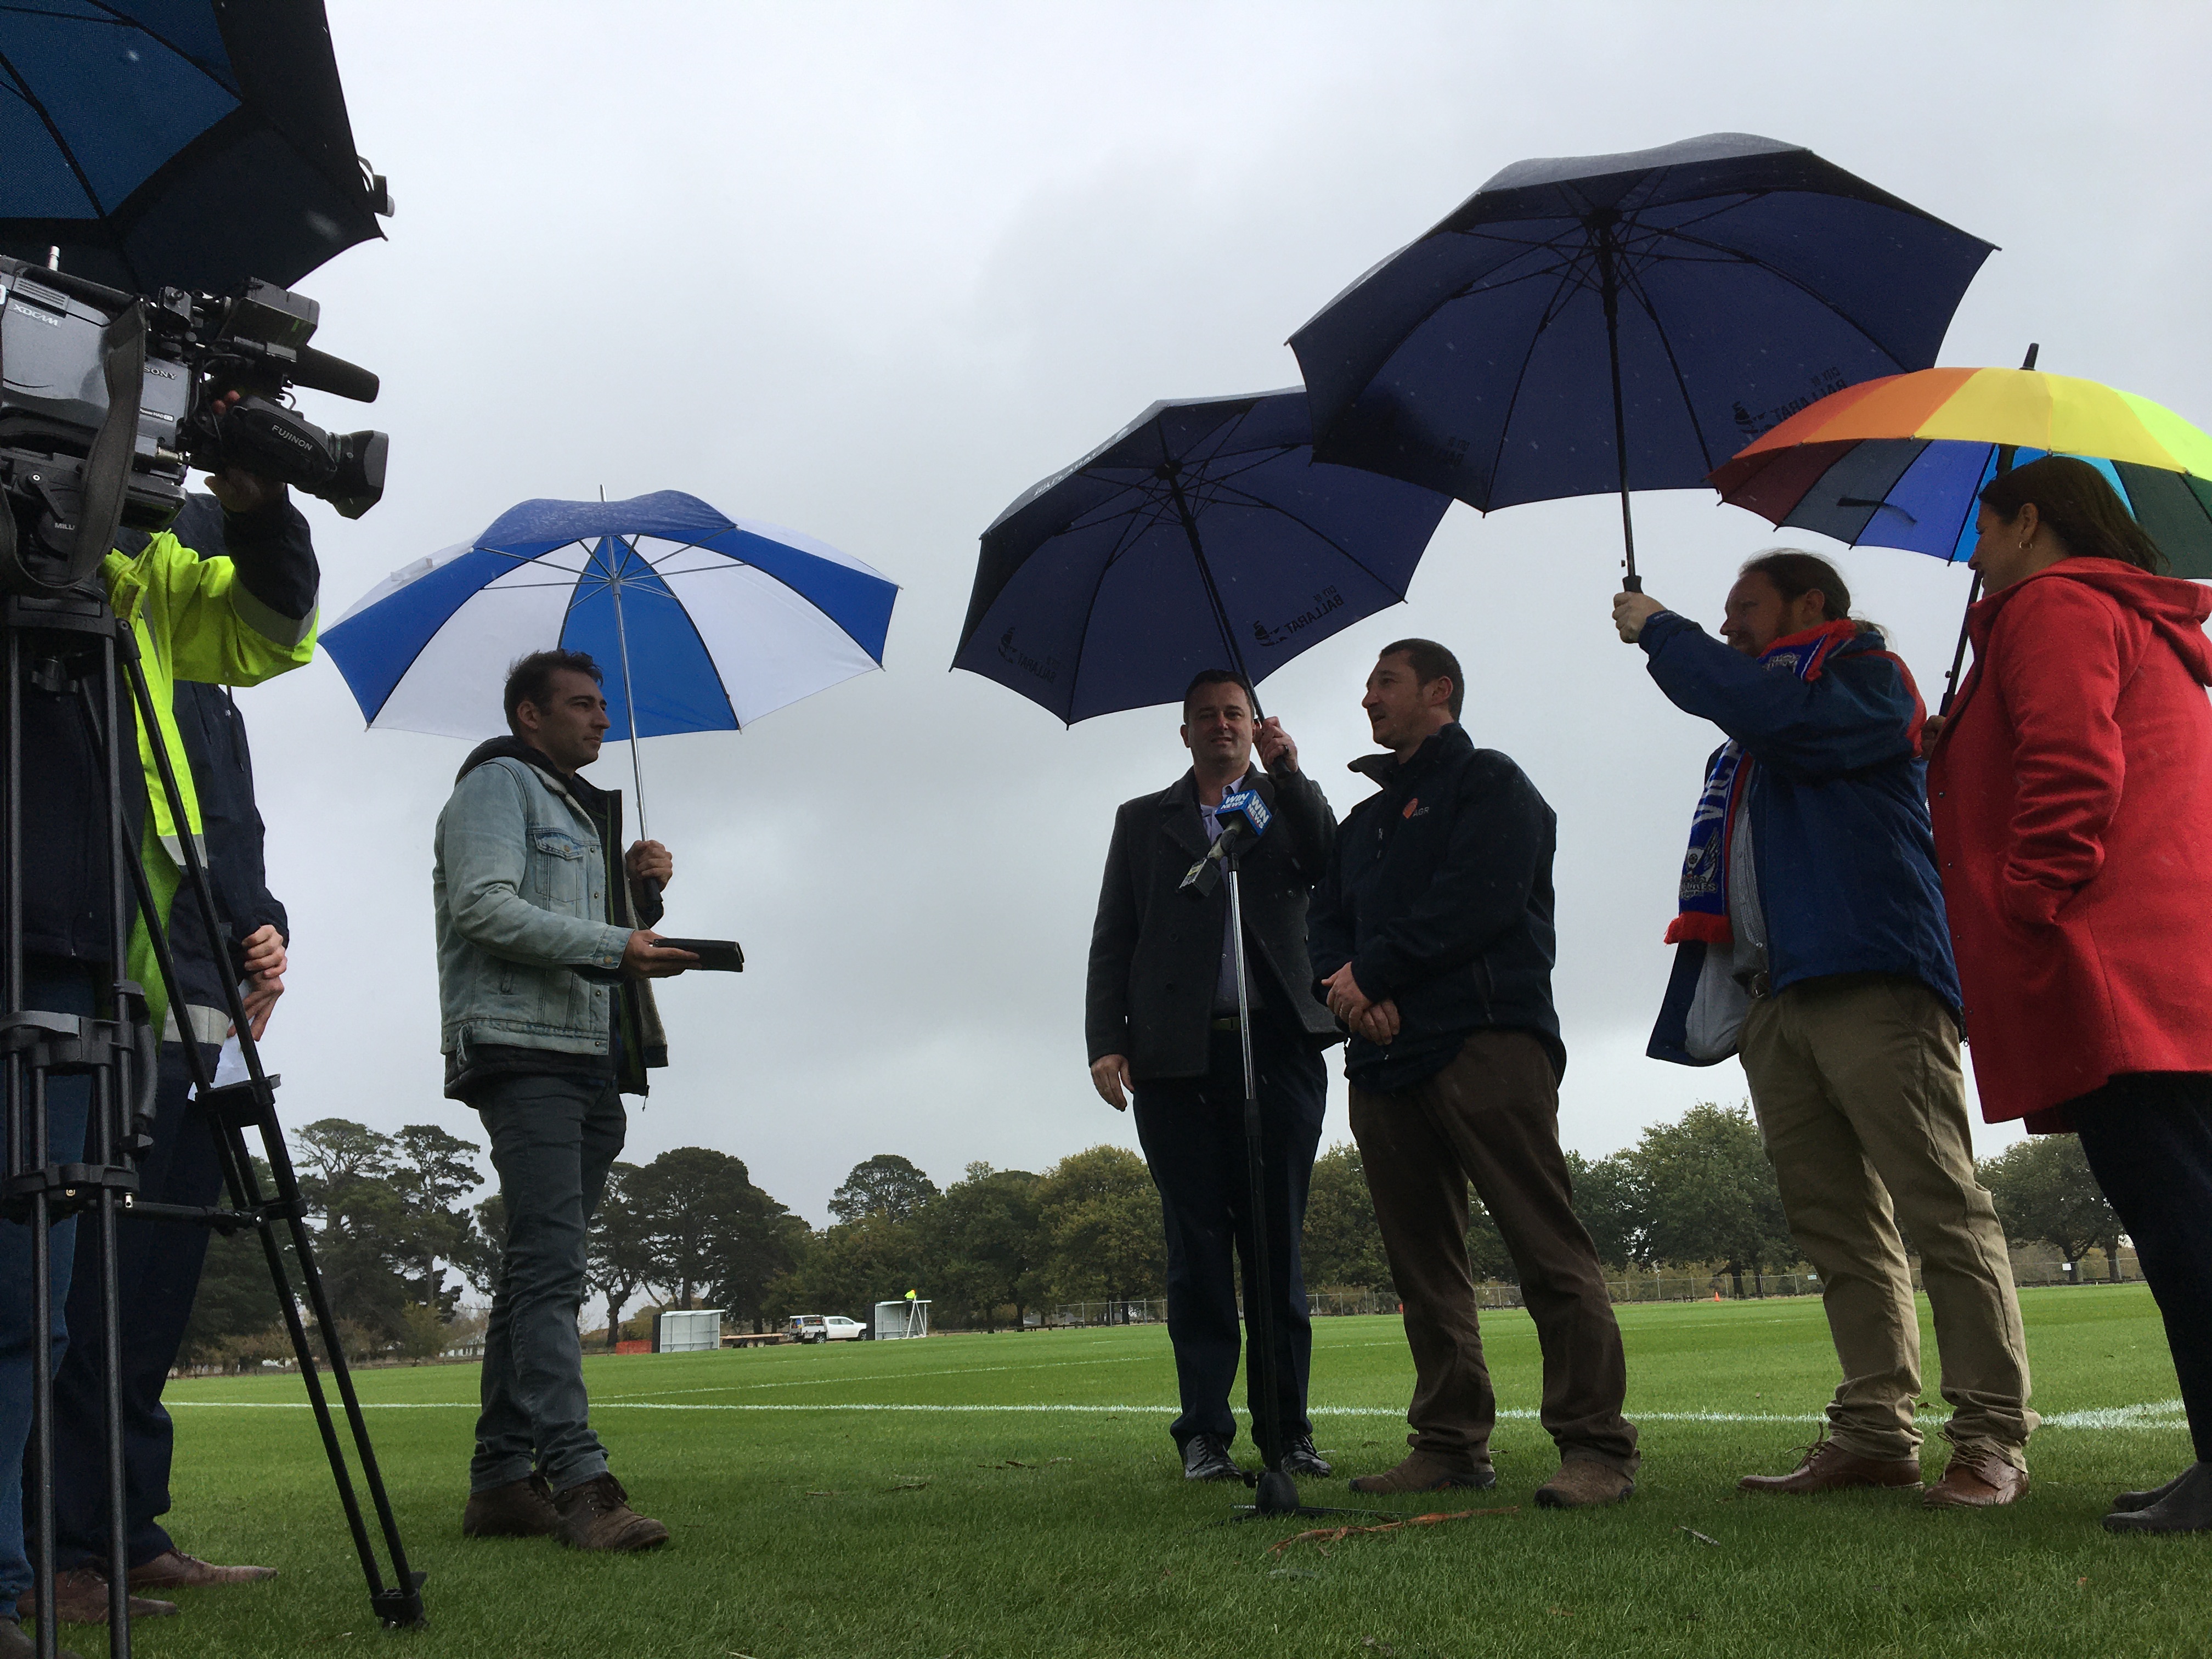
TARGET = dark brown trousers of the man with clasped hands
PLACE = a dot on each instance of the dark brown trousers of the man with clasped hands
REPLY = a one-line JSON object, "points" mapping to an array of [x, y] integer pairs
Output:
{"points": [[1492, 1118]]}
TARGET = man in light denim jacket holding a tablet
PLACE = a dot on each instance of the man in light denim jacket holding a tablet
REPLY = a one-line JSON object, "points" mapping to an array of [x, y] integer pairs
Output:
{"points": [[547, 1023]]}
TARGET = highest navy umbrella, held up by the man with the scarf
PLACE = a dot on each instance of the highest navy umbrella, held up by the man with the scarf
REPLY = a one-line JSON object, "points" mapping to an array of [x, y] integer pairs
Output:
{"points": [[1627, 322]]}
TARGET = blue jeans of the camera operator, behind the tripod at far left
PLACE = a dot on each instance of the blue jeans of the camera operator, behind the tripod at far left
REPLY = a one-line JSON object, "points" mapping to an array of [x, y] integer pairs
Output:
{"points": [[52, 988]]}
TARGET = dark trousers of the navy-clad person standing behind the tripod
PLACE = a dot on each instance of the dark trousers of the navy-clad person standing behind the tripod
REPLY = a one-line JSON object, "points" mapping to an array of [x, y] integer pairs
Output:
{"points": [[158, 1275]]}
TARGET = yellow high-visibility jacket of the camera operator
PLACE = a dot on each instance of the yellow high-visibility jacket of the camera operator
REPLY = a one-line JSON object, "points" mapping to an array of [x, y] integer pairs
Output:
{"points": [[194, 620]]}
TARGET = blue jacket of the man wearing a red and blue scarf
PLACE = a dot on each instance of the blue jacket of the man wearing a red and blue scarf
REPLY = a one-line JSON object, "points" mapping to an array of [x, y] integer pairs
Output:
{"points": [[1841, 839]]}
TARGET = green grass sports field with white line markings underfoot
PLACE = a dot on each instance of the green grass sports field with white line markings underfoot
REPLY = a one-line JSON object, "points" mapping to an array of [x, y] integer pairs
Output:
{"points": [[1019, 1496]]}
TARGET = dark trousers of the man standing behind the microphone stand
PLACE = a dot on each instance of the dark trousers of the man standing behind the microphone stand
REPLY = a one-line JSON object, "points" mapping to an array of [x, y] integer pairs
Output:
{"points": [[1193, 1140]]}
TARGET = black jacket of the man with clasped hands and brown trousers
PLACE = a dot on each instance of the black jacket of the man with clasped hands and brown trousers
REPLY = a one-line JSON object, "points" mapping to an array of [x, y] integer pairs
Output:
{"points": [[1439, 897]]}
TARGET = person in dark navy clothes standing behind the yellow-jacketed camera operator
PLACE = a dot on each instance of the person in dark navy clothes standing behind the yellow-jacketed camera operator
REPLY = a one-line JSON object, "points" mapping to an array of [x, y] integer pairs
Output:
{"points": [[160, 1262]]}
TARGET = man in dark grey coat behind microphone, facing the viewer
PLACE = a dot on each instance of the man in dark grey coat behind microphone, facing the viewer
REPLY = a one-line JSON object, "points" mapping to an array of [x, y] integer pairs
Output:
{"points": [[1162, 1023]]}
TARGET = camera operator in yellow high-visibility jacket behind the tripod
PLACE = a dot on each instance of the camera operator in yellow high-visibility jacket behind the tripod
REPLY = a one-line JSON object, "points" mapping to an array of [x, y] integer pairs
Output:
{"points": [[238, 620]]}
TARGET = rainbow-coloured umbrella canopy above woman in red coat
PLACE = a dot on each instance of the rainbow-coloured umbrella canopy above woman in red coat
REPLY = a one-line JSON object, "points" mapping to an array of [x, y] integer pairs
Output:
{"points": [[1903, 459]]}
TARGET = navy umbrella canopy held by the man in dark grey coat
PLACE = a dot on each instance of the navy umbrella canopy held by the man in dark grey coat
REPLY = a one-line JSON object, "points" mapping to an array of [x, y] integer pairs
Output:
{"points": [[1200, 536]]}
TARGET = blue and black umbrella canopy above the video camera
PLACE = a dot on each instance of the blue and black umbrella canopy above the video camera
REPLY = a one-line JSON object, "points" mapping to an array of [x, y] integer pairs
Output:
{"points": [[178, 143]]}
